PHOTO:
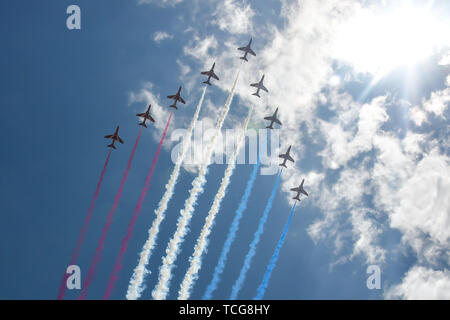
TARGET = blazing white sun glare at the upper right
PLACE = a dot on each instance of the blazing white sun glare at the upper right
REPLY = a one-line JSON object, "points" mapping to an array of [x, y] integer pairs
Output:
{"points": [[377, 41]]}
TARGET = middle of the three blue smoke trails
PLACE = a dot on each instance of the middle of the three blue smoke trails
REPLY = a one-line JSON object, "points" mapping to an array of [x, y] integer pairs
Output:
{"points": [[252, 251]]}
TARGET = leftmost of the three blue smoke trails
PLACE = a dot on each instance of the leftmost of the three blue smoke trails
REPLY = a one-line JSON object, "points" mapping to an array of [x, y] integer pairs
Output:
{"points": [[231, 234]]}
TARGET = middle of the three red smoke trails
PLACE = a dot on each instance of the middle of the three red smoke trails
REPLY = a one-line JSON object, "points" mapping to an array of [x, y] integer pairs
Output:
{"points": [[101, 243]]}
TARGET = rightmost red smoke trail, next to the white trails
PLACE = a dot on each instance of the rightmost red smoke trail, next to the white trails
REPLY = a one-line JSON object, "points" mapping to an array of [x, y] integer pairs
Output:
{"points": [[118, 265]]}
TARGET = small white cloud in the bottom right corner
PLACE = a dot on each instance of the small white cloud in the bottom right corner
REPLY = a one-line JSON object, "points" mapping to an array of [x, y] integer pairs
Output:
{"points": [[422, 283]]}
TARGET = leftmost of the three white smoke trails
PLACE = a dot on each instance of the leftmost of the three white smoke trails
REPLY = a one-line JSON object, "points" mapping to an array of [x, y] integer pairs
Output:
{"points": [[136, 286]]}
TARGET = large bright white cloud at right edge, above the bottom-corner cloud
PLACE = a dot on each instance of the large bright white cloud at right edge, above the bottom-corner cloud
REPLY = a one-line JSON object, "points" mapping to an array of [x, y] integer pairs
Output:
{"points": [[422, 212]]}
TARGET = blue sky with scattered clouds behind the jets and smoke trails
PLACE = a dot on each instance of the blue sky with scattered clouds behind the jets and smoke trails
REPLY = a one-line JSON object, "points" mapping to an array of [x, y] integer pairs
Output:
{"points": [[363, 89]]}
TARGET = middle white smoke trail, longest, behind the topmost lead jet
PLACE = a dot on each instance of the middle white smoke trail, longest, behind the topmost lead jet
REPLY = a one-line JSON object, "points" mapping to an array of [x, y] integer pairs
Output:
{"points": [[165, 272]]}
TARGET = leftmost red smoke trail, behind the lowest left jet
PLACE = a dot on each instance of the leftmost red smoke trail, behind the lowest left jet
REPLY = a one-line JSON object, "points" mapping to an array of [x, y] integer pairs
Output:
{"points": [[76, 252]]}
